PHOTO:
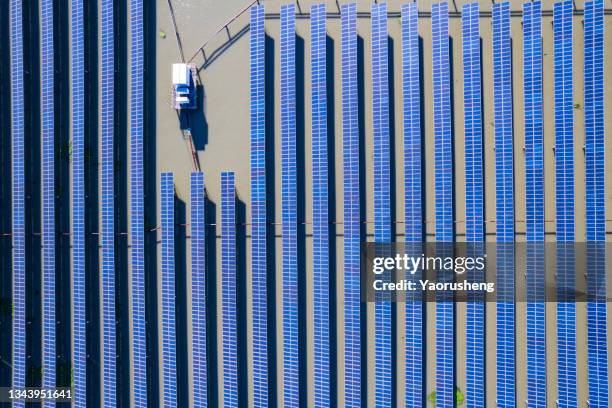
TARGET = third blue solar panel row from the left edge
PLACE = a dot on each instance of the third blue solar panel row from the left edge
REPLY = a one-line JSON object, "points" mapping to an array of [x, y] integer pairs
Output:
{"points": [[79, 340]]}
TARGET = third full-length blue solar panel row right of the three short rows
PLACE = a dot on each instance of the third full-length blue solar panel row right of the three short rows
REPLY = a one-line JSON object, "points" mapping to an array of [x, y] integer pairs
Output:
{"points": [[320, 207]]}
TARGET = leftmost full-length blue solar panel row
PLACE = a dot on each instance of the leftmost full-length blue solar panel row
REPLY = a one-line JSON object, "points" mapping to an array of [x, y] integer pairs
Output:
{"points": [[18, 195]]}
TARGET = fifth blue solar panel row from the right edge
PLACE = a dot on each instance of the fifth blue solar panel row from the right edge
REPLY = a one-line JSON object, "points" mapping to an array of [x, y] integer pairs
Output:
{"points": [[474, 192]]}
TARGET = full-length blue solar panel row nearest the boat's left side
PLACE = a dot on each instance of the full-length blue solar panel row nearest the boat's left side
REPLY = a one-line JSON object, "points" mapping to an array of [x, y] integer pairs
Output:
{"points": [[139, 336]]}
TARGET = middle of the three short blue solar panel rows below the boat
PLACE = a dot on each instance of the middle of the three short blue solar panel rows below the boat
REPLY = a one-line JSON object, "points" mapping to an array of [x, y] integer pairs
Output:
{"points": [[198, 289]]}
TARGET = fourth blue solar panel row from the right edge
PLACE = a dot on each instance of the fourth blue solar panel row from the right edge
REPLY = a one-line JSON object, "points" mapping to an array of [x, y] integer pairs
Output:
{"points": [[504, 190]]}
